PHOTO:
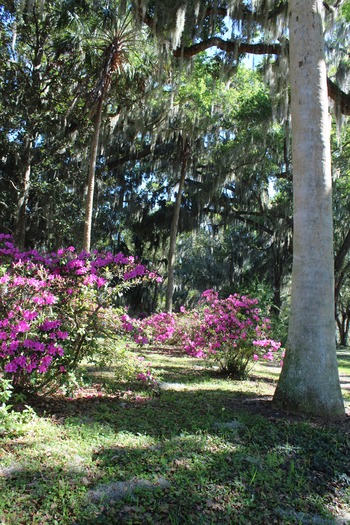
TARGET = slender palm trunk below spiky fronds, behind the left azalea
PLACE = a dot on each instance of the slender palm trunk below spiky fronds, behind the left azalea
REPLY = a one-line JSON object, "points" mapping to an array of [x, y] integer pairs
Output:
{"points": [[91, 177]]}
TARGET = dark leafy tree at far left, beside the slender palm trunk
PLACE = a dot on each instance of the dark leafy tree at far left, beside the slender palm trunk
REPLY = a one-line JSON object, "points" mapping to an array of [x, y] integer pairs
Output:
{"points": [[39, 86]]}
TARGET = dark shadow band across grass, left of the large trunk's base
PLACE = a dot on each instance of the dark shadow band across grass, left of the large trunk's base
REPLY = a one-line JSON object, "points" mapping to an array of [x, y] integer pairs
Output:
{"points": [[160, 416]]}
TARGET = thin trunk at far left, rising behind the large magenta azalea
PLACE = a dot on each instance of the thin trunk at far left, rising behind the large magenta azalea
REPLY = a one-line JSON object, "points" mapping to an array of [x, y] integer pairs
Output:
{"points": [[21, 220]]}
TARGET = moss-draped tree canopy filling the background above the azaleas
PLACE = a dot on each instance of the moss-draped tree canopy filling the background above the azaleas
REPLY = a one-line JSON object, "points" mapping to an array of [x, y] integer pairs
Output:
{"points": [[142, 126]]}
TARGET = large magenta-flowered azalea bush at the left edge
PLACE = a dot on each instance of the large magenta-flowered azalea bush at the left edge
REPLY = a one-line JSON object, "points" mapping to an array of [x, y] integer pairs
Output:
{"points": [[53, 307]]}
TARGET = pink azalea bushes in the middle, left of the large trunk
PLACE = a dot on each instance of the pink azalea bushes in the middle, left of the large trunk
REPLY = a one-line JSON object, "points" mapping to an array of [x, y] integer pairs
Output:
{"points": [[231, 332]]}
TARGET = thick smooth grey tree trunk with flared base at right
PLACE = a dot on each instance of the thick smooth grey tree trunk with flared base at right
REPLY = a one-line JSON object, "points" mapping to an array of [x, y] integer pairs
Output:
{"points": [[309, 381]]}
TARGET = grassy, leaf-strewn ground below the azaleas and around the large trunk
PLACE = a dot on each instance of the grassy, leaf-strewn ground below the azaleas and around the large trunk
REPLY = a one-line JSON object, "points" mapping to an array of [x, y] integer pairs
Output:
{"points": [[201, 449]]}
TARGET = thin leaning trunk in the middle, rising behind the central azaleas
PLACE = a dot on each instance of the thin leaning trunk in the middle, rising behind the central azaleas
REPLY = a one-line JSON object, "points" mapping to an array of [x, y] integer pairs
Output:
{"points": [[173, 231]]}
